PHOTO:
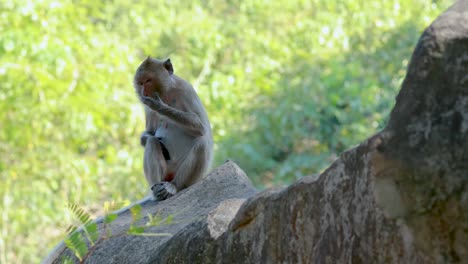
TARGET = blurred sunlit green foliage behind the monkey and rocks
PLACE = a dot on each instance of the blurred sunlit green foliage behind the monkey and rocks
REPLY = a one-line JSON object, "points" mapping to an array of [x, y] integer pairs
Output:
{"points": [[288, 85]]}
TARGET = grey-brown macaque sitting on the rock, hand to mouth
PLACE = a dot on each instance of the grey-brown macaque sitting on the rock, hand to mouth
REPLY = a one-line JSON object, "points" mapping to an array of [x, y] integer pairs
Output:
{"points": [[178, 141]]}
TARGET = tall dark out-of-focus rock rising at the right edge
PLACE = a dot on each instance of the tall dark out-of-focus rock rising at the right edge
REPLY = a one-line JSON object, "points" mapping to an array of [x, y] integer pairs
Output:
{"points": [[421, 166]]}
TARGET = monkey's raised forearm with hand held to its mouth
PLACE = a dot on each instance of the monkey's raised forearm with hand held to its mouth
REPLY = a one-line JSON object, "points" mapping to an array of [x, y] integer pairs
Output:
{"points": [[188, 120]]}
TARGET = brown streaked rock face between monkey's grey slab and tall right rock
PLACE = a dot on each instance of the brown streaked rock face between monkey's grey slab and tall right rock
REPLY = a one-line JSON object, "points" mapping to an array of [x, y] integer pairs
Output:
{"points": [[329, 219]]}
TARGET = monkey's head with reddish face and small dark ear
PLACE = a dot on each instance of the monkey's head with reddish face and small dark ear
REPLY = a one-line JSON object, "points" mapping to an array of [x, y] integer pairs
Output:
{"points": [[153, 76]]}
